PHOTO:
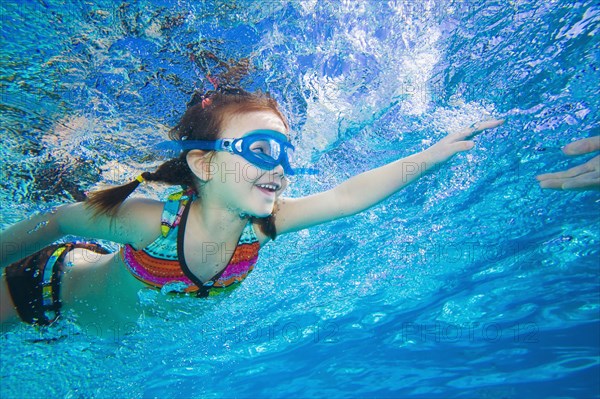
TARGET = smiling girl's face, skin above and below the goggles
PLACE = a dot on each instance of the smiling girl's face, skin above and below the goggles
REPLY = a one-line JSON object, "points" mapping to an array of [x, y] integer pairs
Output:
{"points": [[235, 180]]}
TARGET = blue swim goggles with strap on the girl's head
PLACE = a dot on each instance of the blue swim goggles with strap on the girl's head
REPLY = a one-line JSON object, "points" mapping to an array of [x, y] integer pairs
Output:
{"points": [[263, 148]]}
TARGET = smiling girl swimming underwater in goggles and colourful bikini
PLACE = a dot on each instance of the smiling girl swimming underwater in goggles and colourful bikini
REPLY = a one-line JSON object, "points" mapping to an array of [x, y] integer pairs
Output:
{"points": [[203, 240]]}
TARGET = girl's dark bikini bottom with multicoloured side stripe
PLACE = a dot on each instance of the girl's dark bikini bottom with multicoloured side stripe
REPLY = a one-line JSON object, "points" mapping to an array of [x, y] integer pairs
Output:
{"points": [[34, 282]]}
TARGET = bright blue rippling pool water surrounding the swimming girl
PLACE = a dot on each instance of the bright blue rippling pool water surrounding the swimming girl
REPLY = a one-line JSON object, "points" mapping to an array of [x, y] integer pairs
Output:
{"points": [[471, 283]]}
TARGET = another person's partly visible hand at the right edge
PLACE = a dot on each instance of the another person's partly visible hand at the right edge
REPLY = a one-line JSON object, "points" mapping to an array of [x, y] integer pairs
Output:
{"points": [[582, 177]]}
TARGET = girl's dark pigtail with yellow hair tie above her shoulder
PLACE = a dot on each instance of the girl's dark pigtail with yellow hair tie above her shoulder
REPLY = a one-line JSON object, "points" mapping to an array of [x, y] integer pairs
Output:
{"points": [[175, 172]]}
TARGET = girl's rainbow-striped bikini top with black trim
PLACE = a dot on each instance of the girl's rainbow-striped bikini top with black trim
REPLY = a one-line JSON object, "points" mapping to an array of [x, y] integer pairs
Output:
{"points": [[162, 262]]}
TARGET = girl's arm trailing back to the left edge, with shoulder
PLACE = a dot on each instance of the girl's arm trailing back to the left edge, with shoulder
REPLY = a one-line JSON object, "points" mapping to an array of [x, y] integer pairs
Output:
{"points": [[137, 223]]}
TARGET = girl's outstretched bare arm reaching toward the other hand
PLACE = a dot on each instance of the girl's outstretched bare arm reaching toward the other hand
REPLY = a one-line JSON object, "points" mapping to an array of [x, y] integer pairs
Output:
{"points": [[370, 188]]}
